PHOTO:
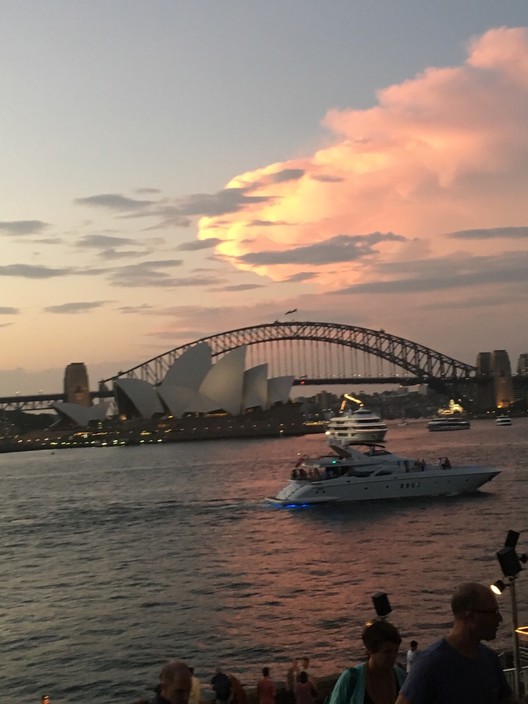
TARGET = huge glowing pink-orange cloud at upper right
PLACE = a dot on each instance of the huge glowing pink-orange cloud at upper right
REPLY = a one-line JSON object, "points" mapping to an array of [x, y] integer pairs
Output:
{"points": [[443, 151]]}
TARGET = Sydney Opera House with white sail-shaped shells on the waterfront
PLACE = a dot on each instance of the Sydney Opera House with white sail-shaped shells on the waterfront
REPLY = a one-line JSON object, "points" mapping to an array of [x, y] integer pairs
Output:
{"points": [[193, 386]]}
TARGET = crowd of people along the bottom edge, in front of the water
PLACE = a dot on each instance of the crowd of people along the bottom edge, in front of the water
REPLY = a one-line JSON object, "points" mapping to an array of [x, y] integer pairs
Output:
{"points": [[456, 669]]}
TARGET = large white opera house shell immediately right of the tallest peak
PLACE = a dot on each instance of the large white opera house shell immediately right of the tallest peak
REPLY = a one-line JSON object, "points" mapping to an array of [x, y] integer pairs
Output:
{"points": [[223, 384]]}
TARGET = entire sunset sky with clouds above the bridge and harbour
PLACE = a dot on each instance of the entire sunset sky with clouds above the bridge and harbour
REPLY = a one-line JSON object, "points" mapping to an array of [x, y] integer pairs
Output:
{"points": [[172, 170]]}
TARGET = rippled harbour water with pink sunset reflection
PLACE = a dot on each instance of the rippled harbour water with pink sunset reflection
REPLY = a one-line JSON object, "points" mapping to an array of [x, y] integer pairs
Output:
{"points": [[117, 560]]}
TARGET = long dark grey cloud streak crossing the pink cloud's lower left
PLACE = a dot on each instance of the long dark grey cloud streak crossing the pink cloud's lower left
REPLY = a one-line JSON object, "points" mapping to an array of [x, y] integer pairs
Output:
{"points": [[341, 248]]}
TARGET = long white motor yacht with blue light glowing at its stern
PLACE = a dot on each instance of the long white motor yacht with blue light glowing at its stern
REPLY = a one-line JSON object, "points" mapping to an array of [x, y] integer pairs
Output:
{"points": [[375, 473]]}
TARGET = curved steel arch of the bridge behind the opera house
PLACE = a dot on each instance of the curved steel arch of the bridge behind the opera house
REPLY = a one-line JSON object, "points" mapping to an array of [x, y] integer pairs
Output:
{"points": [[418, 361]]}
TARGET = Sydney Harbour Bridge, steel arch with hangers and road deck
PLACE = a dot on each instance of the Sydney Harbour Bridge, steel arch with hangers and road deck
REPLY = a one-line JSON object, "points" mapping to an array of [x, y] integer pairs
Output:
{"points": [[314, 354]]}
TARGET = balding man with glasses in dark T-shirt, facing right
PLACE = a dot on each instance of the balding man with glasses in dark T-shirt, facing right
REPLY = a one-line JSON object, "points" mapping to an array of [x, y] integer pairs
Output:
{"points": [[459, 669]]}
